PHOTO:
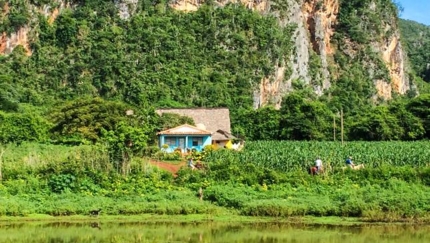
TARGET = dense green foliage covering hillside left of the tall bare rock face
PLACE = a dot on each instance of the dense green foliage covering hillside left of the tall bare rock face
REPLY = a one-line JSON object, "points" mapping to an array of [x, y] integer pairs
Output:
{"points": [[211, 57]]}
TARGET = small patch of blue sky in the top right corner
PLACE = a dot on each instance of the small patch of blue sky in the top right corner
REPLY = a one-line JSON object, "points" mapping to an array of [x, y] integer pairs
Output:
{"points": [[417, 10]]}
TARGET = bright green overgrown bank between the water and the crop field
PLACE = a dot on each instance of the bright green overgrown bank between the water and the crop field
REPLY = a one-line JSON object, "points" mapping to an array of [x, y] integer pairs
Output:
{"points": [[227, 187]]}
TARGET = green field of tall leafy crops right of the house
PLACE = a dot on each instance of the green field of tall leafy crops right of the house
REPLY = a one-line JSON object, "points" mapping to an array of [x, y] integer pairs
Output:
{"points": [[292, 155]]}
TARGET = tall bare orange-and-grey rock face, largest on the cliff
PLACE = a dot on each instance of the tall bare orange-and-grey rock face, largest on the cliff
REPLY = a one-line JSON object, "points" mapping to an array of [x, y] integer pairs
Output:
{"points": [[314, 20]]}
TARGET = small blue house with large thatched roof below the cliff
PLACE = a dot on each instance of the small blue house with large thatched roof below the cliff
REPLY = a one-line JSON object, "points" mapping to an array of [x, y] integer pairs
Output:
{"points": [[216, 121]]}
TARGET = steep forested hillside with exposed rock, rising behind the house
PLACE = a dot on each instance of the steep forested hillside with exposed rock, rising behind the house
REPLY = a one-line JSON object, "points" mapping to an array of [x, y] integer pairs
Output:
{"points": [[76, 66]]}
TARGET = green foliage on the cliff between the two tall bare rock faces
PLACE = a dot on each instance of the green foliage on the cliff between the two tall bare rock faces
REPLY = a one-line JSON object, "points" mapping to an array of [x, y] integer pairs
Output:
{"points": [[357, 65]]}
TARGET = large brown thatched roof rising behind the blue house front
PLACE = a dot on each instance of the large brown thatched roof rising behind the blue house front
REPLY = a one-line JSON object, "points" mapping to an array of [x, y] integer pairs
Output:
{"points": [[210, 119]]}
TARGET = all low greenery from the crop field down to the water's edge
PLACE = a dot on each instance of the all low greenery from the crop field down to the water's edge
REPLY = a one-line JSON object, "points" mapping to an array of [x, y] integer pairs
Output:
{"points": [[80, 179]]}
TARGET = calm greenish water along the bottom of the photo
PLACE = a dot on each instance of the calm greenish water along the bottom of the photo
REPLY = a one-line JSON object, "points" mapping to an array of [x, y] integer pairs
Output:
{"points": [[208, 232]]}
